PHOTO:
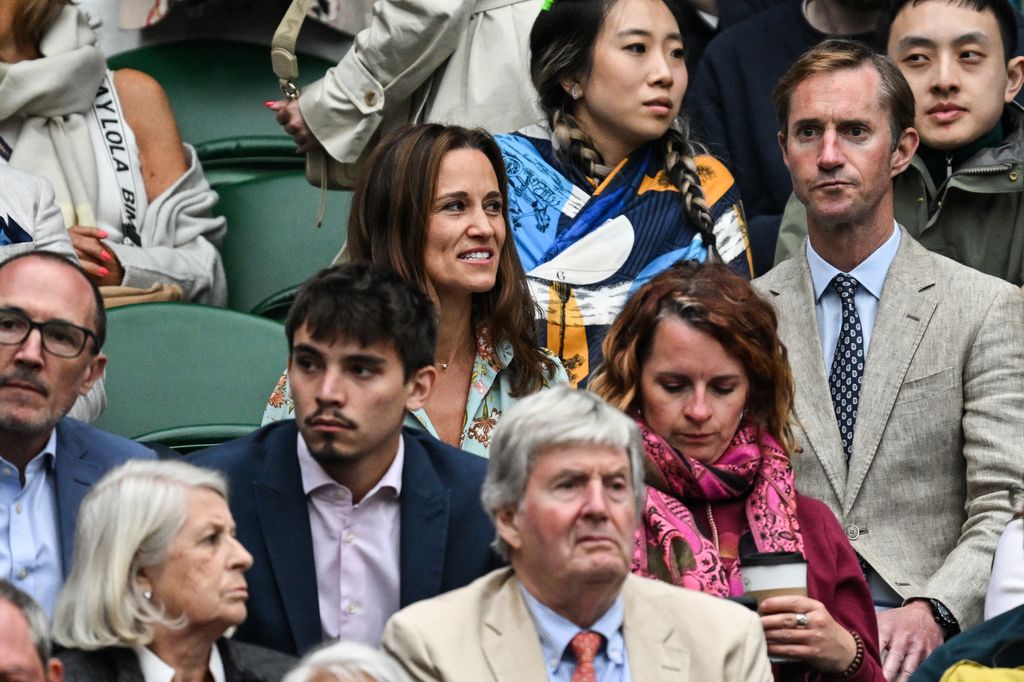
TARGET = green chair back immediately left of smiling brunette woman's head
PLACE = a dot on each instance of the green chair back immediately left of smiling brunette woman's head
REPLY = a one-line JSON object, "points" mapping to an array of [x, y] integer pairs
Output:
{"points": [[273, 243]]}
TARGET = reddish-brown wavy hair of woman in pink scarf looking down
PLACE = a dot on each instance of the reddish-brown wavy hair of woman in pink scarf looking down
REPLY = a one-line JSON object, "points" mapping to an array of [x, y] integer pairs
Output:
{"points": [[714, 300]]}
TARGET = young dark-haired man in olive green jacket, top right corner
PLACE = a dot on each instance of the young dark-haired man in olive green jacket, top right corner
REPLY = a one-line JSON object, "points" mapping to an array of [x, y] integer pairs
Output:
{"points": [[963, 195]]}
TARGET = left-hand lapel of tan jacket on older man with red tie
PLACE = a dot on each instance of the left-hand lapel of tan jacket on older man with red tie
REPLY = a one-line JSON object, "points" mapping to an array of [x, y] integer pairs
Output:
{"points": [[509, 641]]}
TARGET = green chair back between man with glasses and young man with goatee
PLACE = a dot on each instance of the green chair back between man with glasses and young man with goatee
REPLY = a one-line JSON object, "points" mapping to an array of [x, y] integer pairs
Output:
{"points": [[184, 365]]}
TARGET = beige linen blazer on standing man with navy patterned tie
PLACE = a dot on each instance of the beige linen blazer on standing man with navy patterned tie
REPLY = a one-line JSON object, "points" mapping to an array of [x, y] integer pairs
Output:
{"points": [[941, 428]]}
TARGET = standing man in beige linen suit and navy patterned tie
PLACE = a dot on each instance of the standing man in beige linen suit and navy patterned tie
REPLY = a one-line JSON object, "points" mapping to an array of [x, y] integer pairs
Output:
{"points": [[909, 367]]}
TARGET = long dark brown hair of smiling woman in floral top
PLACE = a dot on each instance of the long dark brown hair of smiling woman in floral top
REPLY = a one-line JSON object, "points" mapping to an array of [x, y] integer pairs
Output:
{"points": [[389, 225]]}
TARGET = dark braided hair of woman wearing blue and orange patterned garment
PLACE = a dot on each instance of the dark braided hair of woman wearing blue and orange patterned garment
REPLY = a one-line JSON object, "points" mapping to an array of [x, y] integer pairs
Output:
{"points": [[562, 47]]}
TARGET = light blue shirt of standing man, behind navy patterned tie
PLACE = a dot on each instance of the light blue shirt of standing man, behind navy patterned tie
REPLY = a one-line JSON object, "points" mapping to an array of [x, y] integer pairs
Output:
{"points": [[828, 308]]}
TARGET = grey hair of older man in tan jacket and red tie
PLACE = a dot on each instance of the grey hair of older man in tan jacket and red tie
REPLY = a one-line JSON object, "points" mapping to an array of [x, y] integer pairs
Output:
{"points": [[559, 416]]}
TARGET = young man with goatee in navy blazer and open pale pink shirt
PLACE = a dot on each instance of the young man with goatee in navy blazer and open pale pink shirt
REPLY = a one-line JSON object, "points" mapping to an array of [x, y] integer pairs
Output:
{"points": [[349, 516]]}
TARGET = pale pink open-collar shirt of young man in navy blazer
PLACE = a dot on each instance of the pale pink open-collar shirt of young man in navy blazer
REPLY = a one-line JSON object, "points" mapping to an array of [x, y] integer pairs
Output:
{"points": [[356, 549]]}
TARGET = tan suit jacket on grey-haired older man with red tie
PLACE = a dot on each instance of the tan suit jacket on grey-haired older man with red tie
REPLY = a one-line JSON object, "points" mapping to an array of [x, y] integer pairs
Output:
{"points": [[485, 632]]}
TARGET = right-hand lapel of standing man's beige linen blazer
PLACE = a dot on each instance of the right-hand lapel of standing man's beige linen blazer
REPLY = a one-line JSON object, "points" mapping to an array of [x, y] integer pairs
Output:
{"points": [[905, 312]]}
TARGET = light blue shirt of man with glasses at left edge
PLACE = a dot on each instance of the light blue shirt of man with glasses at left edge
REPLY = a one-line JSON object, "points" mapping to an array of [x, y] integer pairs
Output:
{"points": [[30, 536]]}
